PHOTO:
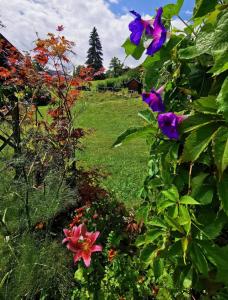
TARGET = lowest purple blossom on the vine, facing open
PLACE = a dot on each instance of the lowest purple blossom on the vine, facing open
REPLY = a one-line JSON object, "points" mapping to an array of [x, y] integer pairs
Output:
{"points": [[168, 123]]}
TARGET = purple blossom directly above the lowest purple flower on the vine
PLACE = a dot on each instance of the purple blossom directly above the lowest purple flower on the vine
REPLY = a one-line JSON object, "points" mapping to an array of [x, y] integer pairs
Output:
{"points": [[154, 100]]}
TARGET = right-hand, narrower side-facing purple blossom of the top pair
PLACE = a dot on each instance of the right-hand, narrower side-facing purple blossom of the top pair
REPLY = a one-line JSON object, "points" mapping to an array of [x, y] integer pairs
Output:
{"points": [[159, 34]]}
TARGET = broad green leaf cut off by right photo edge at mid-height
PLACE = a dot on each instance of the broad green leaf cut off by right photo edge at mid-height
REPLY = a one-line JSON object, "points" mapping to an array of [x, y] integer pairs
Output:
{"points": [[220, 149]]}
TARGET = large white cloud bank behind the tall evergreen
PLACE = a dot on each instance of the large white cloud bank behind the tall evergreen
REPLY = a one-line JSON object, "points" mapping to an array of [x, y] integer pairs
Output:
{"points": [[24, 18]]}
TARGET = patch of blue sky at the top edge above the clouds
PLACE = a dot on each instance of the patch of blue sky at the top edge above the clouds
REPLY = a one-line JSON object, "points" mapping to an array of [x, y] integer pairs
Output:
{"points": [[148, 6]]}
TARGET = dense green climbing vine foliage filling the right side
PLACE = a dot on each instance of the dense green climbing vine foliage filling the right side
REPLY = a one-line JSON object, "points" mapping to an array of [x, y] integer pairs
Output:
{"points": [[185, 192]]}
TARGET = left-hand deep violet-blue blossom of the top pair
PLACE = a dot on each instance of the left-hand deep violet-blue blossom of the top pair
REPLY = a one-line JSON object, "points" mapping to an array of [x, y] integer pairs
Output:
{"points": [[137, 27]]}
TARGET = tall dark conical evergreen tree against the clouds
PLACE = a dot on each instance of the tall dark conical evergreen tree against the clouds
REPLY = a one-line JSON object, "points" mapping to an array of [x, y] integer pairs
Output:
{"points": [[94, 54]]}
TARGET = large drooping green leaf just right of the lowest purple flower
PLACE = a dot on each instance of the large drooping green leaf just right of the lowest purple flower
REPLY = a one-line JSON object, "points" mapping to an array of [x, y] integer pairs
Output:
{"points": [[197, 142]]}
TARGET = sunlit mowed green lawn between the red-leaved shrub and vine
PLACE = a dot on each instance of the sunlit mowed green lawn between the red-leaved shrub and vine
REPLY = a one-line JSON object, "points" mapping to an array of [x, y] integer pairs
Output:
{"points": [[108, 115]]}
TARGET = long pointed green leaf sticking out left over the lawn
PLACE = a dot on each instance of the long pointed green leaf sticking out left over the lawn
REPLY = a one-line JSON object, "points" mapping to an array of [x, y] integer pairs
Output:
{"points": [[133, 133]]}
